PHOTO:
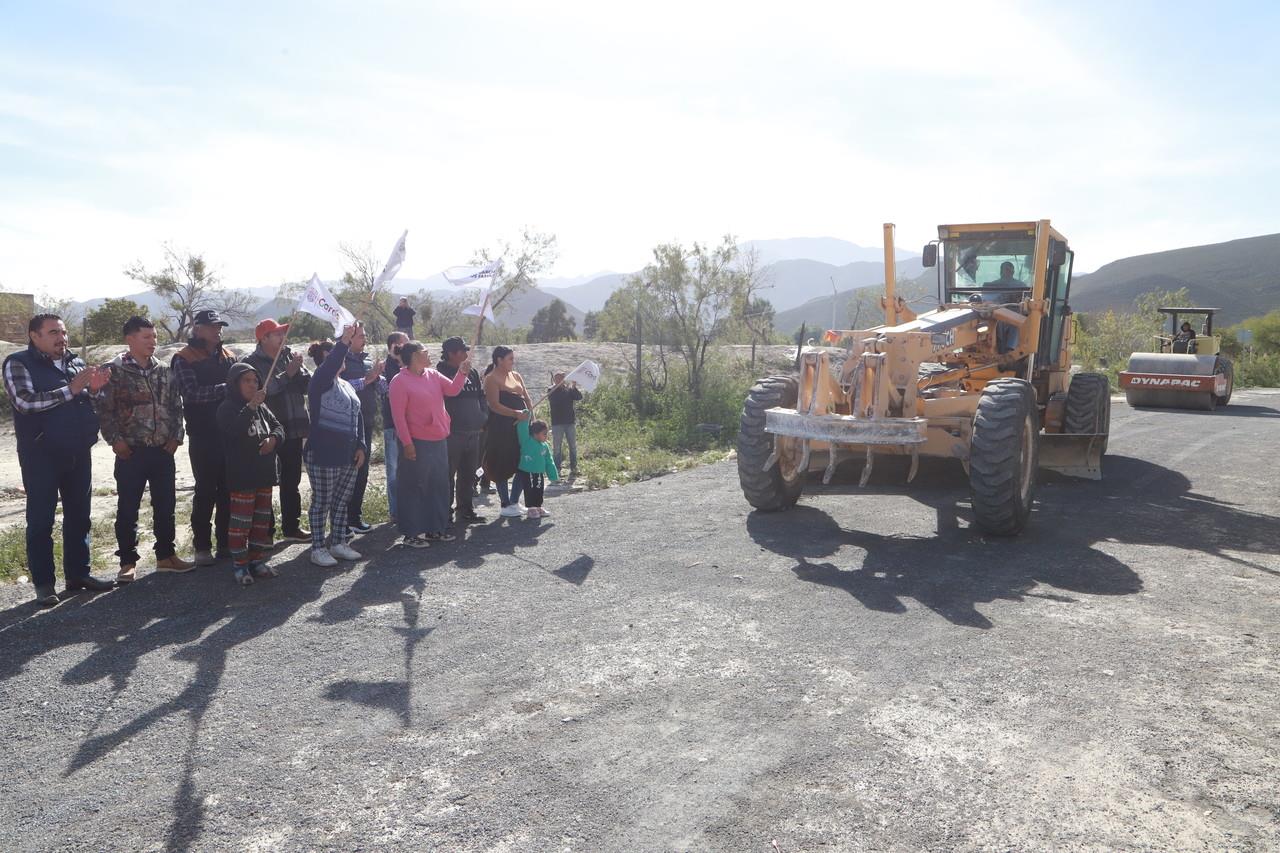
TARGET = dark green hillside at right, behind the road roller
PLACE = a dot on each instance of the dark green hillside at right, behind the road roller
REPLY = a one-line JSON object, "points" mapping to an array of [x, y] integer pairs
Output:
{"points": [[1242, 277]]}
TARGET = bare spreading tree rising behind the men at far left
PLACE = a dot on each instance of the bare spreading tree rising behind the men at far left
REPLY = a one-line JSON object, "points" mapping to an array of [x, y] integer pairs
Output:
{"points": [[188, 285]]}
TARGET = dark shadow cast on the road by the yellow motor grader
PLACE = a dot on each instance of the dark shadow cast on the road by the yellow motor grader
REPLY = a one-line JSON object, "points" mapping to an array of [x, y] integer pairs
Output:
{"points": [[959, 568]]}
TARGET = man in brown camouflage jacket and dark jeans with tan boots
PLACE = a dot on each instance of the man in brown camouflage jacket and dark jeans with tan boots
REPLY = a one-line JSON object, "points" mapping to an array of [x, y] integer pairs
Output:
{"points": [[141, 418]]}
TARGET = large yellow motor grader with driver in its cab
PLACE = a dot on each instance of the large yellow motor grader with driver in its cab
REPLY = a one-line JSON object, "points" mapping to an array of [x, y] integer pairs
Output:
{"points": [[984, 378]]}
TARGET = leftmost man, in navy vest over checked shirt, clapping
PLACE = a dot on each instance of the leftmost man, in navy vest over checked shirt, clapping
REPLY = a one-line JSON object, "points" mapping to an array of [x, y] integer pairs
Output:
{"points": [[51, 391]]}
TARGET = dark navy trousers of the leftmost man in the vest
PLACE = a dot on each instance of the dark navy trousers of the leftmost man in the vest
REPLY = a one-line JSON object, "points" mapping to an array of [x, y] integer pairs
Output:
{"points": [[45, 476]]}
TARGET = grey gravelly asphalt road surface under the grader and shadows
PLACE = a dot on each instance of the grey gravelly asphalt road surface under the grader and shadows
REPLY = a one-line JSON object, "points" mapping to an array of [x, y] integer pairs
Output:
{"points": [[659, 668]]}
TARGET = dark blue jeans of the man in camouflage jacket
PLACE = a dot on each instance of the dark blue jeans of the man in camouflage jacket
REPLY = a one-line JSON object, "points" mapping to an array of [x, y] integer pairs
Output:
{"points": [[154, 467]]}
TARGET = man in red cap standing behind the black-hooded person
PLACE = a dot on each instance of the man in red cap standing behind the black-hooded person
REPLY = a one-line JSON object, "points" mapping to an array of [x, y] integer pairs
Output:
{"points": [[287, 399]]}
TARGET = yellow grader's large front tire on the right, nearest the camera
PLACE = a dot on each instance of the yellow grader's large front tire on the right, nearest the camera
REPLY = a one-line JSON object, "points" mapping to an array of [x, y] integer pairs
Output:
{"points": [[1004, 457]]}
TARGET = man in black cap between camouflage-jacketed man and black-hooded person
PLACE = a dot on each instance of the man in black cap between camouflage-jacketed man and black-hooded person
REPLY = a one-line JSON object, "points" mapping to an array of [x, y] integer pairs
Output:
{"points": [[200, 370]]}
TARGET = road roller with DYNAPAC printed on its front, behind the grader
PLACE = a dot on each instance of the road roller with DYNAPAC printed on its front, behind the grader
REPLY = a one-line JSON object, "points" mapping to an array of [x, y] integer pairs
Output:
{"points": [[1188, 372]]}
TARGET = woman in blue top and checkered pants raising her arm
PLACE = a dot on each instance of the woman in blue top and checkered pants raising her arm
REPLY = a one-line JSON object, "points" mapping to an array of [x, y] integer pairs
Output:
{"points": [[335, 453]]}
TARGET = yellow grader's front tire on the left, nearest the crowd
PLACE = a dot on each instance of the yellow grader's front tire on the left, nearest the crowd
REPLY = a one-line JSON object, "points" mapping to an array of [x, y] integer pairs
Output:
{"points": [[766, 490]]}
